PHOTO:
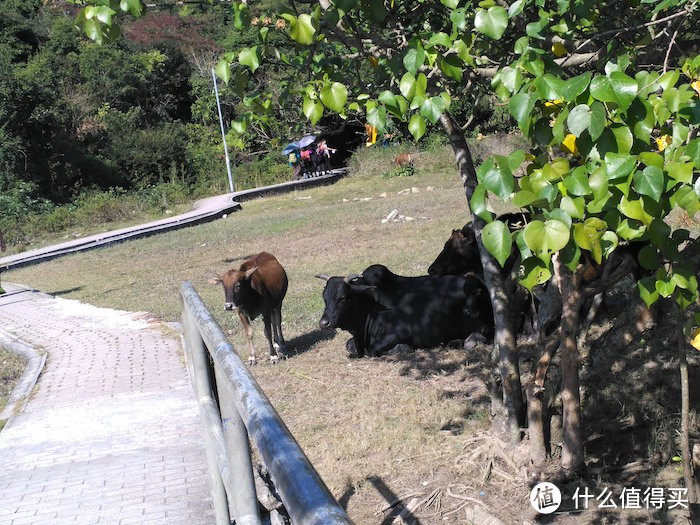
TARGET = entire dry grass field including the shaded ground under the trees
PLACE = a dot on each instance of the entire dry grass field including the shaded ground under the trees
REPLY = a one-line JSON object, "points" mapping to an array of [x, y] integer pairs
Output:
{"points": [[406, 427]]}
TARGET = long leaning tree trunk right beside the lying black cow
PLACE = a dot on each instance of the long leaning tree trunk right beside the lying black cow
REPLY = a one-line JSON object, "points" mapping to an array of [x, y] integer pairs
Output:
{"points": [[493, 279]]}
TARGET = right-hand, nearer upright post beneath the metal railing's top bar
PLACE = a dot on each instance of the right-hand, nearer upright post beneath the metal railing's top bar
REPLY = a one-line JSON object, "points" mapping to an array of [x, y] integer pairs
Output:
{"points": [[244, 501]]}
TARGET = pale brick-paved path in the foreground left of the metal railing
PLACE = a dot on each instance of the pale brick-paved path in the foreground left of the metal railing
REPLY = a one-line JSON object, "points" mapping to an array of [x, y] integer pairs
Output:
{"points": [[111, 433]]}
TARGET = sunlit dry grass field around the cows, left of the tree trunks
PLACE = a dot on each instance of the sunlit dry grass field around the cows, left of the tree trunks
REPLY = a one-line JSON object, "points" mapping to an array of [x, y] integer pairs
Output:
{"points": [[403, 427]]}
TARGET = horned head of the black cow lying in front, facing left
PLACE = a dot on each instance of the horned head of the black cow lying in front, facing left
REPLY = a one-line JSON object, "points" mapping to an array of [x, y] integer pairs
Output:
{"points": [[338, 296]]}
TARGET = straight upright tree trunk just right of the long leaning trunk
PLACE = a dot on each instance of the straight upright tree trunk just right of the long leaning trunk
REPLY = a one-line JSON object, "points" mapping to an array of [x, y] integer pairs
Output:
{"points": [[569, 286]]}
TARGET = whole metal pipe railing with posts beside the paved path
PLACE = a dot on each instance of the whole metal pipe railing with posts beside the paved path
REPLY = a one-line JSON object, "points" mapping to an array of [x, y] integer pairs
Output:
{"points": [[245, 410]]}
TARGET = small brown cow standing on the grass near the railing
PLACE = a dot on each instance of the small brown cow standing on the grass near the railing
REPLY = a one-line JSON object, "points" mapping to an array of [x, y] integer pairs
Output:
{"points": [[258, 287]]}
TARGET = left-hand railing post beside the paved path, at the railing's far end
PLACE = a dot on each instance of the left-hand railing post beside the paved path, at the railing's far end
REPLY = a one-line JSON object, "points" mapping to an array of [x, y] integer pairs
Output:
{"points": [[197, 353]]}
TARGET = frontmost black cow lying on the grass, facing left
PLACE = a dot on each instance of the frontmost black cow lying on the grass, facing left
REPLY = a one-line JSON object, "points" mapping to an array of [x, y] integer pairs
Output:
{"points": [[382, 310]]}
